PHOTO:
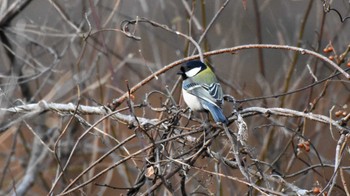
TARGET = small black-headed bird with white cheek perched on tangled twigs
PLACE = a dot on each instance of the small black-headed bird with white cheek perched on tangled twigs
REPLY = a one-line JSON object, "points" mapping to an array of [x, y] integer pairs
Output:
{"points": [[201, 90]]}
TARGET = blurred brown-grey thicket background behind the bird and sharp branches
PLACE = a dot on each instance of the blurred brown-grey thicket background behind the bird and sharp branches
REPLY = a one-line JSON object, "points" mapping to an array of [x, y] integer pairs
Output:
{"points": [[74, 50]]}
